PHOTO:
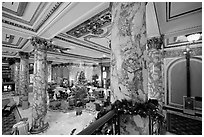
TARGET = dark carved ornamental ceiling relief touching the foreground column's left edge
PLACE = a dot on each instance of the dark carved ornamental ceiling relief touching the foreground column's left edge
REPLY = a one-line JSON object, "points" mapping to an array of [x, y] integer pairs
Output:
{"points": [[92, 25]]}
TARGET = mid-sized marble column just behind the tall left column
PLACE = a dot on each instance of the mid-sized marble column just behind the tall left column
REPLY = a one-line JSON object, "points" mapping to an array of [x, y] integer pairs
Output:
{"points": [[24, 79]]}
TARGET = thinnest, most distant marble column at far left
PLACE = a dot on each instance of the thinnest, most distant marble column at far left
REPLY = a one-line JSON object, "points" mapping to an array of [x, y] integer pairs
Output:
{"points": [[17, 76]]}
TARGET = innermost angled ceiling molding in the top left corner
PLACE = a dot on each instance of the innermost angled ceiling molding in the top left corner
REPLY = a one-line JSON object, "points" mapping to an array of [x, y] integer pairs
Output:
{"points": [[20, 11]]}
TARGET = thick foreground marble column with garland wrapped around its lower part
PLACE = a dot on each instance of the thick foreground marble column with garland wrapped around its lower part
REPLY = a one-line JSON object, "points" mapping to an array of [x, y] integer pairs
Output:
{"points": [[128, 44]]}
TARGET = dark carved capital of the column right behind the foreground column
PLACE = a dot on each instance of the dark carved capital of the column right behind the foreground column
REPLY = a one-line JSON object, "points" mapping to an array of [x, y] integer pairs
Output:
{"points": [[155, 42]]}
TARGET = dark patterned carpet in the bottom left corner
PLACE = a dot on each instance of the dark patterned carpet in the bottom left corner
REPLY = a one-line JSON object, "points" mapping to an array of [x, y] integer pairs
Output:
{"points": [[7, 123]]}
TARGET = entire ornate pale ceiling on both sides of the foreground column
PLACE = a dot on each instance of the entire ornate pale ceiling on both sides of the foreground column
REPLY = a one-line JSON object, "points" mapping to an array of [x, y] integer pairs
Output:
{"points": [[83, 29]]}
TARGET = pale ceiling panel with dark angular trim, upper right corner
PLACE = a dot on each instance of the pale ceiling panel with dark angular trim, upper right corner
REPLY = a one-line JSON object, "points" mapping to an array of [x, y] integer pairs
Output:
{"points": [[177, 18]]}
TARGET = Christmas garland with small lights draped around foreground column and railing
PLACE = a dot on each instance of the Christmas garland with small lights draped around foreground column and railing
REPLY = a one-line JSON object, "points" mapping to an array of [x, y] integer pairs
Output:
{"points": [[149, 108]]}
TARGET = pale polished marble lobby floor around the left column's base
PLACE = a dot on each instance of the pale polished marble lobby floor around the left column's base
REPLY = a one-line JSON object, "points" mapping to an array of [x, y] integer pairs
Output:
{"points": [[60, 123]]}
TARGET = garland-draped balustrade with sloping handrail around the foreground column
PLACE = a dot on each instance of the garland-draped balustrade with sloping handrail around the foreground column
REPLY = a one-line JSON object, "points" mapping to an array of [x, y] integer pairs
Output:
{"points": [[108, 121]]}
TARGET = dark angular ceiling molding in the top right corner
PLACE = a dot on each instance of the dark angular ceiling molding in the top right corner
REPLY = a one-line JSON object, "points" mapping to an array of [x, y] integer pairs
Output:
{"points": [[170, 17]]}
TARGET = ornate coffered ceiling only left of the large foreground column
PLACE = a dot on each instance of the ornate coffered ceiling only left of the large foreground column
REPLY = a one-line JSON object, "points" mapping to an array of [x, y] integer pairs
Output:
{"points": [[22, 20]]}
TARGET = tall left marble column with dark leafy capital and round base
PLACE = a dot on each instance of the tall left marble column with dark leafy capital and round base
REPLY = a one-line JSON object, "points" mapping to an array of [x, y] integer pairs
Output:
{"points": [[39, 108]]}
